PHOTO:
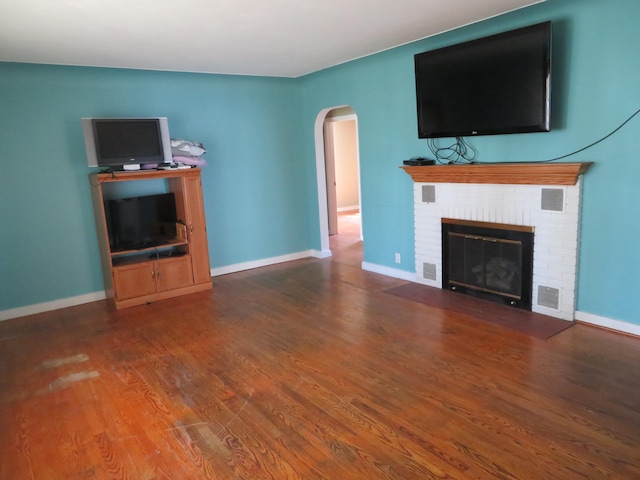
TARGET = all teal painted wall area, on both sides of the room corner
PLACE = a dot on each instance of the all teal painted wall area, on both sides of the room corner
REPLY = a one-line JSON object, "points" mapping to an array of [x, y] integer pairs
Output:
{"points": [[260, 186]]}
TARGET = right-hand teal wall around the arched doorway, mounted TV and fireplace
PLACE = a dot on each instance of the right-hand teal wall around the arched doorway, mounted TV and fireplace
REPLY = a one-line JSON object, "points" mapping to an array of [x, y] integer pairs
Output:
{"points": [[596, 86]]}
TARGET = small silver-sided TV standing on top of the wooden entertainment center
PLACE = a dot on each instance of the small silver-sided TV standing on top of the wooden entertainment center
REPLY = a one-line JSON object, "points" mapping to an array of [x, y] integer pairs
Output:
{"points": [[127, 143]]}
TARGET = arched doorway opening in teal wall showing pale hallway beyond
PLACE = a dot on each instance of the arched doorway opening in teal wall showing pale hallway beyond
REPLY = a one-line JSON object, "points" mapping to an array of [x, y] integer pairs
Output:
{"points": [[338, 176]]}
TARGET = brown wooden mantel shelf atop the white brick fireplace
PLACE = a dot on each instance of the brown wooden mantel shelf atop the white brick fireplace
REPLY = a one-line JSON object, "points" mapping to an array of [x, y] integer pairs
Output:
{"points": [[500, 173]]}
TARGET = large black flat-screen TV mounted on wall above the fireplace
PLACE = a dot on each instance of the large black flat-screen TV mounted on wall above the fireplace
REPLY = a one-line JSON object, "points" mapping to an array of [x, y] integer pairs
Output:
{"points": [[494, 85]]}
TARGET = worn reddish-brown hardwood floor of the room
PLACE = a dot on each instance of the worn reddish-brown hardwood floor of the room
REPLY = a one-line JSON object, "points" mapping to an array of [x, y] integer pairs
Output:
{"points": [[308, 370]]}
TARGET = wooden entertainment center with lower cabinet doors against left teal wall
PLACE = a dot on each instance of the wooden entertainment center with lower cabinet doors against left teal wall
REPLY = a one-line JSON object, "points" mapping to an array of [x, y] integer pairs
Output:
{"points": [[177, 267]]}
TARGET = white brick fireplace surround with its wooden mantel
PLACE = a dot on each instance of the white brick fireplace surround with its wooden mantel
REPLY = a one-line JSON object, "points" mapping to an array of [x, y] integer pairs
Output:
{"points": [[545, 197]]}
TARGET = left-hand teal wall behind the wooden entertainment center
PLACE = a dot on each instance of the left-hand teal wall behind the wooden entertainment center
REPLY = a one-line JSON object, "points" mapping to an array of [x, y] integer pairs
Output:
{"points": [[254, 185]]}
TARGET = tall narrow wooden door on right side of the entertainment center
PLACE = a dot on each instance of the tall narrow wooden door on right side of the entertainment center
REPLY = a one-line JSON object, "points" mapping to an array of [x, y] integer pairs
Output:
{"points": [[197, 230]]}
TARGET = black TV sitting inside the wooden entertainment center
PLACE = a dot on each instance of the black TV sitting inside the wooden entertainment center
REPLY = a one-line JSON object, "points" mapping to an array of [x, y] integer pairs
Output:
{"points": [[142, 222]]}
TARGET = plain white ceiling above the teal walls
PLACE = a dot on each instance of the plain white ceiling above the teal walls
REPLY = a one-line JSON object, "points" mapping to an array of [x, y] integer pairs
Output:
{"points": [[283, 38]]}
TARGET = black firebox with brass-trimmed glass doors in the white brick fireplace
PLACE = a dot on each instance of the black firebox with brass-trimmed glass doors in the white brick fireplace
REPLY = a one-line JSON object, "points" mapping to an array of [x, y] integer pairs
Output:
{"points": [[488, 260]]}
